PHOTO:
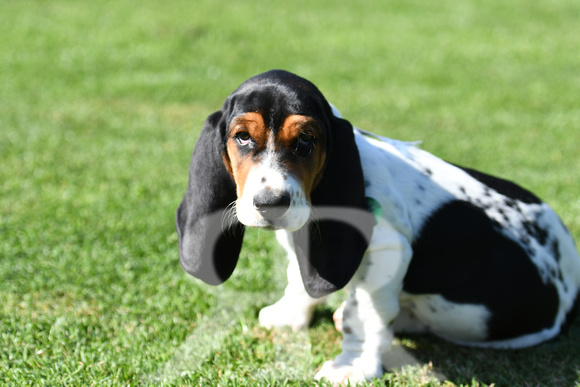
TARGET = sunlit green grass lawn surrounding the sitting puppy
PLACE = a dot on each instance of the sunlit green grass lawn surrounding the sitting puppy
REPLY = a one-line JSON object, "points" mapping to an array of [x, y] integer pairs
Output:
{"points": [[101, 103]]}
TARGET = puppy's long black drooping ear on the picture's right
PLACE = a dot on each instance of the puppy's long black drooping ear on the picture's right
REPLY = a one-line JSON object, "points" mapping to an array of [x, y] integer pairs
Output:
{"points": [[331, 249]]}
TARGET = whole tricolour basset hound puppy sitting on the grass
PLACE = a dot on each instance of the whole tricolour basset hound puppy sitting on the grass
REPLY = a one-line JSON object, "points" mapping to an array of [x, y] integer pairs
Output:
{"points": [[423, 245]]}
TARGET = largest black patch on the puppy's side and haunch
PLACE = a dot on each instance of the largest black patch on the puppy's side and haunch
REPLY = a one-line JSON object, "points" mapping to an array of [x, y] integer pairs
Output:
{"points": [[461, 254]]}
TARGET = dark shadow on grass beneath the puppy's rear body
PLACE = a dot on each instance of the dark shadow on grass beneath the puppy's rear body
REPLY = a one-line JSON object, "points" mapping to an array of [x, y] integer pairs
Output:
{"points": [[554, 363]]}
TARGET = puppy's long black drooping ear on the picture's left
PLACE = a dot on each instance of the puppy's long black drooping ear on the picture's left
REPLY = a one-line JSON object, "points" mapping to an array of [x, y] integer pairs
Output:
{"points": [[210, 238]]}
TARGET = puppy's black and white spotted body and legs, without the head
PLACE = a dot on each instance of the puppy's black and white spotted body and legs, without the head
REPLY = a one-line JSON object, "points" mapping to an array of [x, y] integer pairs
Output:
{"points": [[471, 258]]}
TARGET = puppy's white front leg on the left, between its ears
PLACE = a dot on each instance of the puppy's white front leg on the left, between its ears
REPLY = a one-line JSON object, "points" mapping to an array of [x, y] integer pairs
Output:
{"points": [[296, 307]]}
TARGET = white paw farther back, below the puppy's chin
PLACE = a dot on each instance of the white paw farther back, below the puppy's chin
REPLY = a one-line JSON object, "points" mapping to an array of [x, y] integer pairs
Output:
{"points": [[282, 314]]}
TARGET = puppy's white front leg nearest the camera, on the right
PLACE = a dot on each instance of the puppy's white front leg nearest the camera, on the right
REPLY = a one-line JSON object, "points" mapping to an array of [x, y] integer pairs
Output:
{"points": [[372, 305]]}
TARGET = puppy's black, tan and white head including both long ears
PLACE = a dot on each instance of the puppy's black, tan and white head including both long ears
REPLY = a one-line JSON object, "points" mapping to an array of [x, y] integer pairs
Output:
{"points": [[270, 158]]}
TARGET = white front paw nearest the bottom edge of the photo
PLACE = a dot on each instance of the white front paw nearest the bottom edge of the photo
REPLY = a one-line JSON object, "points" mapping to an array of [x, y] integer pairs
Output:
{"points": [[343, 370]]}
